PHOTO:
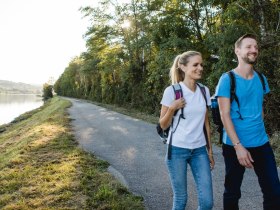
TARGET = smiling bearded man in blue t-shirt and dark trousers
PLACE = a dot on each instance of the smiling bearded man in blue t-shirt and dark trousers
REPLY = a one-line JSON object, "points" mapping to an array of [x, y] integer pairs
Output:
{"points": [[245, 142]]}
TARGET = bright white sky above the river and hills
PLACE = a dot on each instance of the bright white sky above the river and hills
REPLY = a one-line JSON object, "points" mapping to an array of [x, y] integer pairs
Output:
{"points": [[38, 38]]}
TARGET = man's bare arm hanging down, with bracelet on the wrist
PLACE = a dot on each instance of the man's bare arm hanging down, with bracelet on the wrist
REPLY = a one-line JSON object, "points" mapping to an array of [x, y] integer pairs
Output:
{"points": [[243, 155]]}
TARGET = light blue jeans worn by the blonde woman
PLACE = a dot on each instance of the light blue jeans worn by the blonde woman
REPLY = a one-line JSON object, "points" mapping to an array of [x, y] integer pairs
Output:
{"points": [[200, 166]]}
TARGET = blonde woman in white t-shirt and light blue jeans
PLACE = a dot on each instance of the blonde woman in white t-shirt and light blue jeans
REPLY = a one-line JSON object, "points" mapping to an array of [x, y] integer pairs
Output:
{"points": [[188, 138]]}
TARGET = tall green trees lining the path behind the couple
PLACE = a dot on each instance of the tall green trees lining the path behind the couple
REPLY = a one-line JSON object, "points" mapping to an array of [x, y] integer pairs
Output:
{"points": [[129, 65]]}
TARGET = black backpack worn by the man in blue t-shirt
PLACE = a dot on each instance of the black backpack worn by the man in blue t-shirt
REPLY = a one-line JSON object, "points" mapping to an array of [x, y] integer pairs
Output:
{"points": [[215, 106]]}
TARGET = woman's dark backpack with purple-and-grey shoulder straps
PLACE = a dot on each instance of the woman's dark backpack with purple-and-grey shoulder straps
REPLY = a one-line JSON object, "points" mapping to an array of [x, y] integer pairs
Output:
{"points": [[164, 133]]}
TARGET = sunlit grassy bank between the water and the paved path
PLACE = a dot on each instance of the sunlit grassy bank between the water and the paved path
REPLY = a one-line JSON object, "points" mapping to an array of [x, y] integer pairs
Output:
{"points": [[41, 167]]}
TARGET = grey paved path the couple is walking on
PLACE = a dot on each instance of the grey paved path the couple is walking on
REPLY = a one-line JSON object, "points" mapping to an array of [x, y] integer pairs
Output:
{"points": [[136, 156]]}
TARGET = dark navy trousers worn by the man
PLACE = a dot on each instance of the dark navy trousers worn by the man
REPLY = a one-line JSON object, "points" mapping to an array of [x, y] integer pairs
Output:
{"points": [[265, 169]]}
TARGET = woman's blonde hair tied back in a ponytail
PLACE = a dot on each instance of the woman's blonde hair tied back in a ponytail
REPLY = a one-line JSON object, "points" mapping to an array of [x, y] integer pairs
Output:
{"points": [[176, 74]]}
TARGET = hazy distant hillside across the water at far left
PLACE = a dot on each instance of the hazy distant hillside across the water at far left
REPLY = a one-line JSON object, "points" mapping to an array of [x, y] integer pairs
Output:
{"points": [[19, 88]]}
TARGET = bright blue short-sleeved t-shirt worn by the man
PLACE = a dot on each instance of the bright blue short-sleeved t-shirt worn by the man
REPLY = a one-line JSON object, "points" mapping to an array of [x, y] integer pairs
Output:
{"points": [[250, 131]]}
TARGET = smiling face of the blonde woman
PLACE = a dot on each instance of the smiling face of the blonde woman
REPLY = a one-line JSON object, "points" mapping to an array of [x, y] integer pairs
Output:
{"points": [[193, 69]]}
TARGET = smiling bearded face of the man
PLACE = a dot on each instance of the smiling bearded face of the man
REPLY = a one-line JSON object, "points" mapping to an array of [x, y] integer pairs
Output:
{"points": [[248, 51]]}
